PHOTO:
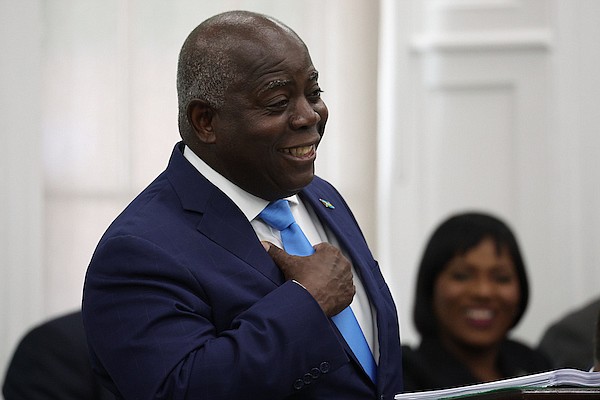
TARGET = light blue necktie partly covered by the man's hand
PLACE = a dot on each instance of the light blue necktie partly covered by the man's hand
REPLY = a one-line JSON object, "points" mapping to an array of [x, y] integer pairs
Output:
{"points": [[279, 216]]}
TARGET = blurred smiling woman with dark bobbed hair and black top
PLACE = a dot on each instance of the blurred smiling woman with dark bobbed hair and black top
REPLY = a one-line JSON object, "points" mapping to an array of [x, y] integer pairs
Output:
{"points": [[471, 291]]}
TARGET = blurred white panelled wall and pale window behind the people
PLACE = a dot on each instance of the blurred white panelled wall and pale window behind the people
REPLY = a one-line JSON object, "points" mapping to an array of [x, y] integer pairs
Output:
{"points": [[436, 106]]}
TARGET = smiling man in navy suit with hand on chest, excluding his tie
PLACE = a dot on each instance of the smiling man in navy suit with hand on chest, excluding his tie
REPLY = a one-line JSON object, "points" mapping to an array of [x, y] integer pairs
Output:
{"points": [[188, 294]]}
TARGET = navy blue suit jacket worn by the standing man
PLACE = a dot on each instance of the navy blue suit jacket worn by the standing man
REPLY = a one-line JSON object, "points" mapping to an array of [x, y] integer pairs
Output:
{"points": [[181, 301]]}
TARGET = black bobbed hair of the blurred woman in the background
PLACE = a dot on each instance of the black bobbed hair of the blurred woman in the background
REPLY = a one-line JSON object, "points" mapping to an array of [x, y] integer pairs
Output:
{"points": [[455, 236]]}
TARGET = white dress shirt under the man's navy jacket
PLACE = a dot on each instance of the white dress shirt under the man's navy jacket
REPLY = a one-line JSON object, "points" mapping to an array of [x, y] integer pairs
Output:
{"points": [[305, 217]]}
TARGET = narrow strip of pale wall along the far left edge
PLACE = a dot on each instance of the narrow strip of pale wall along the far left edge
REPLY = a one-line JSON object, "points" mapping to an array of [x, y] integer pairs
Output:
{"points": [[21, 182]]}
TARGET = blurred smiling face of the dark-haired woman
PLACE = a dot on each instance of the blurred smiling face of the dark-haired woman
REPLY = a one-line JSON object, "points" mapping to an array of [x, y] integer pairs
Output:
{"points": [[476, 297]]}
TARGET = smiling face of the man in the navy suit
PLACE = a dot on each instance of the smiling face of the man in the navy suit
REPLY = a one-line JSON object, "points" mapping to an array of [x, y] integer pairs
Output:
{"points": [[273, 118]]}
